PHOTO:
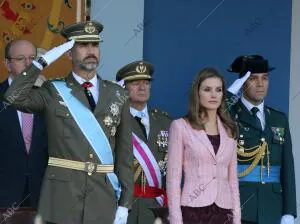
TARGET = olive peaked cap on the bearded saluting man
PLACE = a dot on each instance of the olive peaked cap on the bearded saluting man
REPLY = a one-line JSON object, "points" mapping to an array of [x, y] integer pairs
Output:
{"points": [[87, 31]]}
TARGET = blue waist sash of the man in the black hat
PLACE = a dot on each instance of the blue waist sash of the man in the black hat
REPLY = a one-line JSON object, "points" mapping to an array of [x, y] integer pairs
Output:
{"points": [[254, 175]]}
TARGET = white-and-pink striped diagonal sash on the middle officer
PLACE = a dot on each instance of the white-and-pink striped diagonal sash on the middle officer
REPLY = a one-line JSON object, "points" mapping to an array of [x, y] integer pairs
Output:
{"points": [[148, 163]]}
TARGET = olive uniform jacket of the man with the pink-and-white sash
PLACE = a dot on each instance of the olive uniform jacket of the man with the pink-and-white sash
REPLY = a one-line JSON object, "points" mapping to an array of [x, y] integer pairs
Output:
{"points": [[159, 121]]}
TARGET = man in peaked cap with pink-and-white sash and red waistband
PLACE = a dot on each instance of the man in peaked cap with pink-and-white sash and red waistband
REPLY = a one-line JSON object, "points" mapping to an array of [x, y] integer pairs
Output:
{"points": [[150, 137]]}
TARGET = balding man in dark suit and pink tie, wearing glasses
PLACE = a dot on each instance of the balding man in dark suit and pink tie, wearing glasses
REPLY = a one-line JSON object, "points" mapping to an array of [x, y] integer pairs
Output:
{"points": [[23, 139]]}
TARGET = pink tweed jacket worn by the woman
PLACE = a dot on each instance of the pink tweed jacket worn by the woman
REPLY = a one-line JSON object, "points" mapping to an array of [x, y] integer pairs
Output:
{"points": [[208, 177]]}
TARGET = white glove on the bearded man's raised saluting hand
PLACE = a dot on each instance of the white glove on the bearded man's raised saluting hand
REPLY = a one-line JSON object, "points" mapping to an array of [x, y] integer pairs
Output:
{"points": [[55, 53]]}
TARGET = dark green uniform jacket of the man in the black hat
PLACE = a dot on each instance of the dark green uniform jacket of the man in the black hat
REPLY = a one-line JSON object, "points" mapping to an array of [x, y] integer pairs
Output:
{"points": [[266, 203]]}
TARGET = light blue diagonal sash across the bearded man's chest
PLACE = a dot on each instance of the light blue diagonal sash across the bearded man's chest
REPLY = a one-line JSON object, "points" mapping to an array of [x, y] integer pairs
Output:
{"points": [[93, 131]]}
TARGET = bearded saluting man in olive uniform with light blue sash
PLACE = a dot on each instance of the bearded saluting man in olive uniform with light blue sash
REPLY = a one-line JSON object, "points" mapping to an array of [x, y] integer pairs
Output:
{"points": [[89, 178]]}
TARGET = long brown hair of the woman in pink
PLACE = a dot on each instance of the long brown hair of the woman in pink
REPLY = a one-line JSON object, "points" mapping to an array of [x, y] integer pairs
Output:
{"points": [[195, 109]]}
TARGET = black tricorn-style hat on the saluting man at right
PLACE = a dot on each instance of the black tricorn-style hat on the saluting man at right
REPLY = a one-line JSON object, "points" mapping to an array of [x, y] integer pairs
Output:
{"points": [[252, 63]]}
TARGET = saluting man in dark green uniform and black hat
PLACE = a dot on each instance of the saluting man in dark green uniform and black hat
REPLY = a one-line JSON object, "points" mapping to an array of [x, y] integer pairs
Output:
{"points": [[265, 158]]}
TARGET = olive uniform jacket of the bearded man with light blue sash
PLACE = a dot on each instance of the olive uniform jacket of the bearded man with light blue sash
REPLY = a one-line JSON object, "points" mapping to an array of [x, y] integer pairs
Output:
{"points": [[71, 196]]}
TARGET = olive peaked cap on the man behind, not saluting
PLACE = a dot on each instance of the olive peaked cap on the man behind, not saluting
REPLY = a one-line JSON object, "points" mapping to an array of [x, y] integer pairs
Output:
{"points": [[135, 71]]}
